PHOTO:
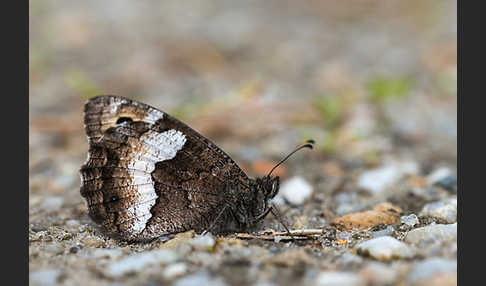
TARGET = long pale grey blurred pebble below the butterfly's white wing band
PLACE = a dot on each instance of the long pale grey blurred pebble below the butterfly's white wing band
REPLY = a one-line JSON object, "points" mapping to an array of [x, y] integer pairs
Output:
{"points": [[138, 261]]}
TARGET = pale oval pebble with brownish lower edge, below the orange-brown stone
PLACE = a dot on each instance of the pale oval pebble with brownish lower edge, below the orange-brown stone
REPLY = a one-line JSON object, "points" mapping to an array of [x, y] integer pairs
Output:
{"points": [[385, 248]]}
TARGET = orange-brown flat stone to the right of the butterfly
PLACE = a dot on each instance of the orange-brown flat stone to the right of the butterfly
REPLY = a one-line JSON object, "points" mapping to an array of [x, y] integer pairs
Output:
{"points": [[384, 213]]}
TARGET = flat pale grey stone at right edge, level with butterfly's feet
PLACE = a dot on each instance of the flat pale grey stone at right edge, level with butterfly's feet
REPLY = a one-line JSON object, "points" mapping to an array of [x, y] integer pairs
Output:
{"points": [[432, 233]]}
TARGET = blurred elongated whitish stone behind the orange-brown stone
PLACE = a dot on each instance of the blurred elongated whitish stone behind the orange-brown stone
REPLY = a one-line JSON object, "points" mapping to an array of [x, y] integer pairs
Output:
{"points": [[377, 180]]}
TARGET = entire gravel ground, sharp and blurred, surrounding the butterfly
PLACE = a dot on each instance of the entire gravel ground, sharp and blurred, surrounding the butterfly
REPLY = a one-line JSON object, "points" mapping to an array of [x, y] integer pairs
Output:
{"points": [[374, 84]]}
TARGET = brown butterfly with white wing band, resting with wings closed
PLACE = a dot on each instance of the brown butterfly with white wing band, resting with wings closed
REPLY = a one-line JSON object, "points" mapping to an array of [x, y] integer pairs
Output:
{"points": [[148, 174]]}
